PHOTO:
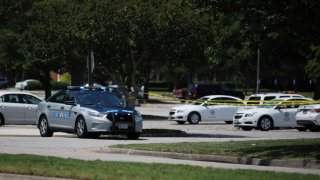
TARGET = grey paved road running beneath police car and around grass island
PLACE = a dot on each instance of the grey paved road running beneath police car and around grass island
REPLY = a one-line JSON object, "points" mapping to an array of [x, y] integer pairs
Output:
{"points": [[26, 139]]}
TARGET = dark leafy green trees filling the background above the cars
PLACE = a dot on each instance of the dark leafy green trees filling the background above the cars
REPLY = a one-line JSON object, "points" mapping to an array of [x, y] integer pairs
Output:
{"points": [[132, 40]]}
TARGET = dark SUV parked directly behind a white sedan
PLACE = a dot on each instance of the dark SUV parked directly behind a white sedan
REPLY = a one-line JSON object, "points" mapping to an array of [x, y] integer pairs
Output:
{"points": [[196, 91]]}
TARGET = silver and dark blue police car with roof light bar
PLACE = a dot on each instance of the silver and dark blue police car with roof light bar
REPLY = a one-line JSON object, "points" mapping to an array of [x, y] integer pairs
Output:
{"points": [[88, 112]]}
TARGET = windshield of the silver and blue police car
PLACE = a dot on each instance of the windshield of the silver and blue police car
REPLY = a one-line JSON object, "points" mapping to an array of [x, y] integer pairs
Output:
{"points": [[103, 99]]}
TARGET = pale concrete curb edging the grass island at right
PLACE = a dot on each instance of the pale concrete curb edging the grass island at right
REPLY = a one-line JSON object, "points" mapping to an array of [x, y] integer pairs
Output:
{"points": [[302, 163]]}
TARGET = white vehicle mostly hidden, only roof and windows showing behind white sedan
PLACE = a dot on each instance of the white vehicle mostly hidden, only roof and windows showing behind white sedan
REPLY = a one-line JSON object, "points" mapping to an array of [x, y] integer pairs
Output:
{"points": [[261, 98]]}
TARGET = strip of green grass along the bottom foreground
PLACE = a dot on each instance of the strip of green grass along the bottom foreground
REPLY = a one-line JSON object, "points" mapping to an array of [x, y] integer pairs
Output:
{"points": [[80, 169]]}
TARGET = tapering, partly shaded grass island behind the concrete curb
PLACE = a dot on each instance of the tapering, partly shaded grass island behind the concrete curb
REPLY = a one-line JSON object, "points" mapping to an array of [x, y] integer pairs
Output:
{"points": [[277, 149]]}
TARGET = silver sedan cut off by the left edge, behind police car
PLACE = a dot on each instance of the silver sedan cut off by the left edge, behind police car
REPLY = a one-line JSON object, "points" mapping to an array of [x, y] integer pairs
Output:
{"points": [[18, 108]]}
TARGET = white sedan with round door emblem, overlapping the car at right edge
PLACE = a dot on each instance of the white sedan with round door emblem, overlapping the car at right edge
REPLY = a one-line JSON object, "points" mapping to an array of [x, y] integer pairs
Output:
{"points": [[278, 113]]}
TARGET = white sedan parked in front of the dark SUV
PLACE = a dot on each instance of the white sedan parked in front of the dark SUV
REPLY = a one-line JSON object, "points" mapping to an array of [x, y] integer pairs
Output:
{"points": [[207, 108]]}
